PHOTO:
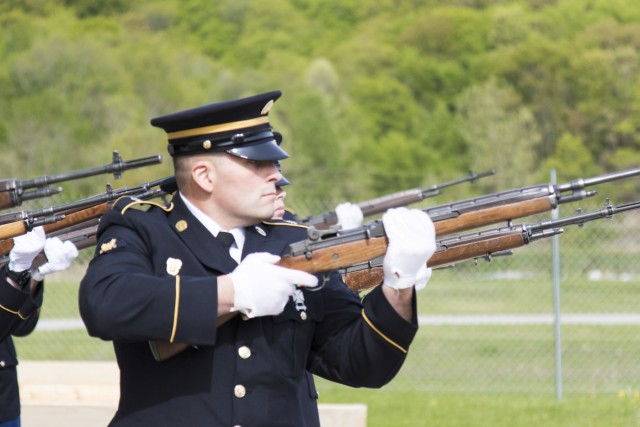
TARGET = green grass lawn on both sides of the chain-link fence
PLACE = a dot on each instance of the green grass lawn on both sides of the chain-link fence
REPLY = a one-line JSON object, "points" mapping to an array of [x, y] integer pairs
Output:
{"points": [[476, 374]]}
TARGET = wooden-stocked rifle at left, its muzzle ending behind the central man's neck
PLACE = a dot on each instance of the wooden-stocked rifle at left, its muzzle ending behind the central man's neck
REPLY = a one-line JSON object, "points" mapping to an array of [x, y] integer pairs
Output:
{"points": [[62, 216]]}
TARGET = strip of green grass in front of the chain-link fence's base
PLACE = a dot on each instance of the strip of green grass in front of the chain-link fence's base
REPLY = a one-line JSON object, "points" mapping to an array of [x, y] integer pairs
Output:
{"points": [[397, 407]]}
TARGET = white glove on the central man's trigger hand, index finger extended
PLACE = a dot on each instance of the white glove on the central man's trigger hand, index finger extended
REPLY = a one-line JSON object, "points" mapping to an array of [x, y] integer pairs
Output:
{"points": [[262, 288]]}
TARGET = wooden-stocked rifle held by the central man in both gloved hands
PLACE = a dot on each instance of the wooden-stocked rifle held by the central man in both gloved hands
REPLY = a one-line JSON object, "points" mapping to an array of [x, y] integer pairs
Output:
{"points": [[326, 250]]}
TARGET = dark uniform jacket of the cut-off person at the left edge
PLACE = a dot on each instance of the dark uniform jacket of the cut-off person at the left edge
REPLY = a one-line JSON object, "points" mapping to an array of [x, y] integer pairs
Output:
{"points": [[18, 317]]}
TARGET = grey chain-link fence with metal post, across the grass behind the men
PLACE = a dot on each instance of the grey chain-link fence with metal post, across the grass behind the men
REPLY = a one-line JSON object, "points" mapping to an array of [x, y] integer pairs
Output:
{"points": [[485, 326]]}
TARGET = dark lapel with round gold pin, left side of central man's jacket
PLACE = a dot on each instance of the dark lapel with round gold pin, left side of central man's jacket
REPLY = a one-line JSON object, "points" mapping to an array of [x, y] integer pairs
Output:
{"points": [[198, 239]]}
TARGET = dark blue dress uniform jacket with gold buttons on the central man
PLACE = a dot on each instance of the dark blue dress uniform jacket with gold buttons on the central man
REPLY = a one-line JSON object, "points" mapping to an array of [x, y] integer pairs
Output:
{"points": [[154, 278]]}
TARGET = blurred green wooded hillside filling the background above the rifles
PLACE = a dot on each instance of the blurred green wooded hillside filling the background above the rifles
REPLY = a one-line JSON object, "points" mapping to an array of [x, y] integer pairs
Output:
{"points": [[378, 96]]}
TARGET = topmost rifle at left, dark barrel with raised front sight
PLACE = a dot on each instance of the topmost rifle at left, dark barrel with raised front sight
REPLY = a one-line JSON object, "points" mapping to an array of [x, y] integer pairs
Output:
{"points": [[14, 191]]}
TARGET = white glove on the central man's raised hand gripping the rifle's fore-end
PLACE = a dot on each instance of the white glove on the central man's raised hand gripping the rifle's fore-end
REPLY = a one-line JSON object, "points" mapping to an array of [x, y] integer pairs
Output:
{"points": [[412, 241]]}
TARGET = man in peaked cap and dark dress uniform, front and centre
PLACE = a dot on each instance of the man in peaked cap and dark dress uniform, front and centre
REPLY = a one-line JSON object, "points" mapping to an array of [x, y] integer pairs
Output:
{"points": [[255, 332]]}
